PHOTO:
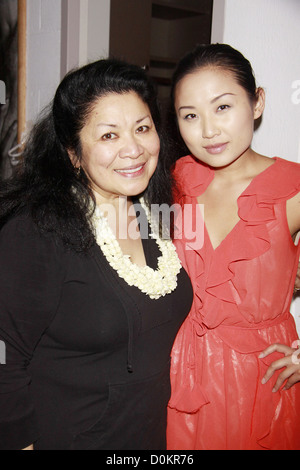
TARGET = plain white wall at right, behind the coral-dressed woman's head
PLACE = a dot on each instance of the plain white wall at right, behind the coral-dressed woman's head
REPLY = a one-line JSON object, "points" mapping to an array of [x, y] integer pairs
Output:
{"points": [[267, 33]]}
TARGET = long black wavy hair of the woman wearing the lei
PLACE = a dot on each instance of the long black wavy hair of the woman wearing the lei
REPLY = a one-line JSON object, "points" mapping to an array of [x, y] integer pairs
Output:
{"points": [[47, 185]]}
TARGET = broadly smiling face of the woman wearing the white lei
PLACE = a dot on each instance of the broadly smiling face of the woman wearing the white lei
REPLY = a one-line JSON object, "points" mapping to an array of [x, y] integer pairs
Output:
{"points": [[120, 146]]}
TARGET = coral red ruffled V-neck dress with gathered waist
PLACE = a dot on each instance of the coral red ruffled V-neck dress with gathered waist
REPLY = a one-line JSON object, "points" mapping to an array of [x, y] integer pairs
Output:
{"points": [[243, 290]]}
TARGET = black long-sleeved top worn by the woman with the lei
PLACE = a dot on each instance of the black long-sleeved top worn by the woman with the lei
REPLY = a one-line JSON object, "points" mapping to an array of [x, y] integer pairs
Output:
{"points": [[87, 356]]}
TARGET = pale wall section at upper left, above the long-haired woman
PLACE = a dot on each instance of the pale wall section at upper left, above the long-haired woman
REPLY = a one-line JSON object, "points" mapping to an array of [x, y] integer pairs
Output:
{"points": [[51, 51]]}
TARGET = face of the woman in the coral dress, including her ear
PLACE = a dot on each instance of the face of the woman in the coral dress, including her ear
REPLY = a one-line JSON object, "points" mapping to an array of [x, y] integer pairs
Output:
{"points": [[215, 115]]}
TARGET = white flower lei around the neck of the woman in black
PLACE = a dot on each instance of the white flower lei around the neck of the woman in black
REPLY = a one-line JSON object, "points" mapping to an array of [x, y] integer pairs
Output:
{"points": [[154, 283]]}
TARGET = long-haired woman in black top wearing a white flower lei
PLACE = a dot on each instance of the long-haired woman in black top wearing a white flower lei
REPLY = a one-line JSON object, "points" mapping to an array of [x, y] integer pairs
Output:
{"points": [[90, 305]]}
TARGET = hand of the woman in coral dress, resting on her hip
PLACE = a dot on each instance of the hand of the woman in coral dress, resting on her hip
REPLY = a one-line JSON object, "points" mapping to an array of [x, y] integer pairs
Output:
{"points": [[291, 363]]}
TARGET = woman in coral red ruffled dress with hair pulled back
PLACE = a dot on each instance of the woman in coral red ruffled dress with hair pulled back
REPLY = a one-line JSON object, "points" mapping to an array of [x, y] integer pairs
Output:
{"points": [[228, 390]]}
